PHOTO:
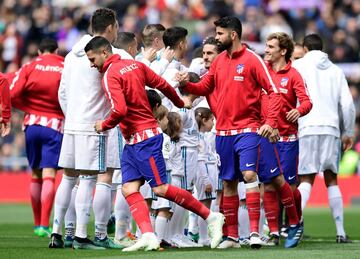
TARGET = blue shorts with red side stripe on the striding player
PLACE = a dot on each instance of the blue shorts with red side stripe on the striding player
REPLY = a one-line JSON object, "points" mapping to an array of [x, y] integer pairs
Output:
{"points": [[144, 160]]}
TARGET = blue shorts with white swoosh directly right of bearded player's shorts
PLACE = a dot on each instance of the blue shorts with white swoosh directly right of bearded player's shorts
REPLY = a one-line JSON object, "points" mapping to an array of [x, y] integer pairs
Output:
{"points": [[269, 161]]}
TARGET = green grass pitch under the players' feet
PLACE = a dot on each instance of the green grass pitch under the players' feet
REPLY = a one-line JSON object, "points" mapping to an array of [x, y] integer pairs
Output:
{"points": [[17, 241]]}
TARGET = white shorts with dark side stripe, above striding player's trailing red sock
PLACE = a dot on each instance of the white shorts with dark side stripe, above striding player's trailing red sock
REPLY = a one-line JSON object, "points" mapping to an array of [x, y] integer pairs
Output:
{"points": [[189, 158]]}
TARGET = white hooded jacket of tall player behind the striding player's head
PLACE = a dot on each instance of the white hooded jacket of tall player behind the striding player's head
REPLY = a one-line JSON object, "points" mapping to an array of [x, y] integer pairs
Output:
{"points": [[81, 96]]}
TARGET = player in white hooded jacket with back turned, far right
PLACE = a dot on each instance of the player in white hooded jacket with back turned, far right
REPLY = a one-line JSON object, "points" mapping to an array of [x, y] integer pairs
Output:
{"points": [[319, 131]]}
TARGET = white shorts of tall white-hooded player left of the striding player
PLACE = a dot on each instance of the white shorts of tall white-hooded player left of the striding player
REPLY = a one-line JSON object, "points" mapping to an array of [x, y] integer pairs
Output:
{"points": [[84, 152]]}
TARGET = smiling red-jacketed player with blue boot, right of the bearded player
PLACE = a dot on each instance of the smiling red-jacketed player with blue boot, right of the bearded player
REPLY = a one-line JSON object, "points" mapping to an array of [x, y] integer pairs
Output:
{"points": [[279, 161]]}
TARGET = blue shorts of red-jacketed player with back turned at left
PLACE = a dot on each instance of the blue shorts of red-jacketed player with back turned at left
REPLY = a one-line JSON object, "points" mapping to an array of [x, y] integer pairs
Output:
{"points": [[43, 146]]}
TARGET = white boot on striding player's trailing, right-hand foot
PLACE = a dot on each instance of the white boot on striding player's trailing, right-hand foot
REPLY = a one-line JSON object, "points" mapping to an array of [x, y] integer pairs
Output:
{"points": [[215, 222]]}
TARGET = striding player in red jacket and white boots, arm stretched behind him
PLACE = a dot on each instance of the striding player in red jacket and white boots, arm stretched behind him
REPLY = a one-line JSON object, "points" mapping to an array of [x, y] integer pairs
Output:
{"points": [[124, 81]]}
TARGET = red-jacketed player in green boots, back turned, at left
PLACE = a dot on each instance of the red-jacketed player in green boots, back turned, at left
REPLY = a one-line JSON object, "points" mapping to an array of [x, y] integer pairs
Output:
{"points": [[34, 90]]}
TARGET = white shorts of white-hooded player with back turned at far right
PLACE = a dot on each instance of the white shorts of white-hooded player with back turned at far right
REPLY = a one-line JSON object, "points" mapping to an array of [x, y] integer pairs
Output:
{"points": [[318, 153]]}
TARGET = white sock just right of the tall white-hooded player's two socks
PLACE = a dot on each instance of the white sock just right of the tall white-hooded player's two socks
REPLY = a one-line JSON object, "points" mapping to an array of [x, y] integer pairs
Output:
{"points": [[102, 209]]}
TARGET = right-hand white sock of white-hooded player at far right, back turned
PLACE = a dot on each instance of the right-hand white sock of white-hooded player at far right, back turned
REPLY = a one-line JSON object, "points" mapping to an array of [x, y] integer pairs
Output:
{"points": [[337, 210]]}
